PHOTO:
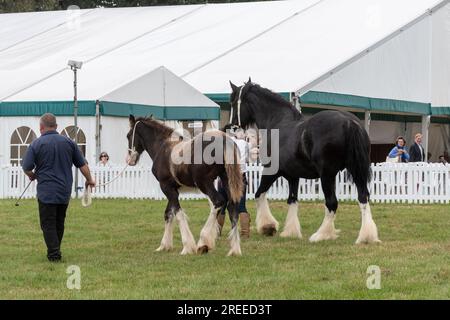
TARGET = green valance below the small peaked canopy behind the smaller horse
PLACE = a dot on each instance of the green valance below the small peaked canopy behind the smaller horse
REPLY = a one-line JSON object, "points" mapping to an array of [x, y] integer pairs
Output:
{"points": [[108, 108]]}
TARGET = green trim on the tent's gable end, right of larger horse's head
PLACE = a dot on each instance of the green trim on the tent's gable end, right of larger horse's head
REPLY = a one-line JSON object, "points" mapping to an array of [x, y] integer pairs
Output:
{"points": [[366, 103]]}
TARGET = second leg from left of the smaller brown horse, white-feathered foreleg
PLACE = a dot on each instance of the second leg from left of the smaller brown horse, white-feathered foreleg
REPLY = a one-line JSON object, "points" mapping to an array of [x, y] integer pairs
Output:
{"points": [[187, 238]]}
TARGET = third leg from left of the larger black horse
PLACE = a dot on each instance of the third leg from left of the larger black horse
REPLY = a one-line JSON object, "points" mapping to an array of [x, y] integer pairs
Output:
{"points": [[327, 230]]}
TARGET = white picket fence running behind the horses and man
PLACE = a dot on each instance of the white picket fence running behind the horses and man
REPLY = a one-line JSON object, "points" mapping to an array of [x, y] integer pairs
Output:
{"points": [[403, 182]]}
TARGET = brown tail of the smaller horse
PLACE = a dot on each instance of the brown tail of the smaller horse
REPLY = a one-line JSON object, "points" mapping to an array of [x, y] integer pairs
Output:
{"points": [[233, 170]]}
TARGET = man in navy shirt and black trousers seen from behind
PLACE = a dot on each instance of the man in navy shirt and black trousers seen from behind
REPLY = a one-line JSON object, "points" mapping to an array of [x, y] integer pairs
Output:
{"points": [[51, 156]]}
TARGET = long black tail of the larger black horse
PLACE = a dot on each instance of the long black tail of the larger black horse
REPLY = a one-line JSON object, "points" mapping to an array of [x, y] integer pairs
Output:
{"points": [[358, 155]]}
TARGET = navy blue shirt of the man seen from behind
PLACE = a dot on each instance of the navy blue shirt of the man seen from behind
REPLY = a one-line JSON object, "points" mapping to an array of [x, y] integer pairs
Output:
{"points": [[51, 156]]}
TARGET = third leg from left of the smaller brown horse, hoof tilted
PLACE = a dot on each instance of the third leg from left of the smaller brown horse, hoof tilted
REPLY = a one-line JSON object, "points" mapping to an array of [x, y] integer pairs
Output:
{"points": [[210, 230]]}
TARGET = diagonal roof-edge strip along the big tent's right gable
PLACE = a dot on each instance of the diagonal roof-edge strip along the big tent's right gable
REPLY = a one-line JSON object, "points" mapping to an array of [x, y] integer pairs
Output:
{"points": [[367, 50]]}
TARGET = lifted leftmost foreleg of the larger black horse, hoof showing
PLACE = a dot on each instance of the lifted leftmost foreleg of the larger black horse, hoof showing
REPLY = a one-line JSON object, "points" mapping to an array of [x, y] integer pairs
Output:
{"points": [[265, 222]]}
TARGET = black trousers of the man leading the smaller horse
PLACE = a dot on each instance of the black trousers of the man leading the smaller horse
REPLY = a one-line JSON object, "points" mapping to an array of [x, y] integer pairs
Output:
{"points": [[52, 217]]}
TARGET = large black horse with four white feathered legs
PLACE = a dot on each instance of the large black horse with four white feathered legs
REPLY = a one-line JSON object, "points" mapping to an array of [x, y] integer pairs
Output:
{"points": [[319, 147]]}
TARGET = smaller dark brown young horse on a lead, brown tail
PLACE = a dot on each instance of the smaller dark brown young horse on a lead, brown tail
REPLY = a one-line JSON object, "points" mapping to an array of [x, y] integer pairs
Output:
{"points": [[179, 162]]}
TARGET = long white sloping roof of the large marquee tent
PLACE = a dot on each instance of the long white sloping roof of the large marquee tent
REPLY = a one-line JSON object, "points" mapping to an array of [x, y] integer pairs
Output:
{"points": [[287, 46]]}
